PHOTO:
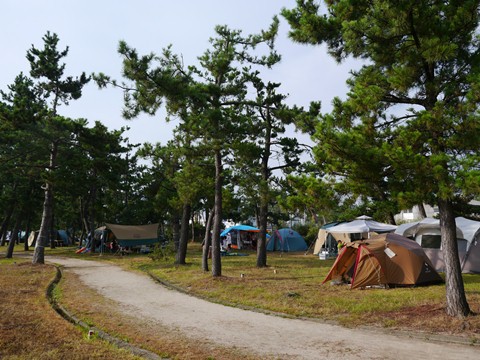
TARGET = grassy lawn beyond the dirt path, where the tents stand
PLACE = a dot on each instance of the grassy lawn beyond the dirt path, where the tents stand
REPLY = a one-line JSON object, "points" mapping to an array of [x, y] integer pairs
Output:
{"points": [[292, 285]]}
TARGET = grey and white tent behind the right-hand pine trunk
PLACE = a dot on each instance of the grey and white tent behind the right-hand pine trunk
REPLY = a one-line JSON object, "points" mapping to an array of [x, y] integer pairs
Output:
{"points": [[427, 233]]}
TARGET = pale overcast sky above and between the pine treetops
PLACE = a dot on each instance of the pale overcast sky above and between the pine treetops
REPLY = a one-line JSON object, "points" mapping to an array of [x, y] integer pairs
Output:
{"points": [[92, 30]]}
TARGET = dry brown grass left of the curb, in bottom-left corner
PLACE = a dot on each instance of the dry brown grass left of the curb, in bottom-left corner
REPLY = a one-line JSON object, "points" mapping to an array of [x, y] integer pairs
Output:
{"points": [[31, 329]]}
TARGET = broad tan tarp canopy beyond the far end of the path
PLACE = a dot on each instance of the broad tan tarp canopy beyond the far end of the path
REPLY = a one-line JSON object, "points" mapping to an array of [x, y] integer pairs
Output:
{"points": [[135, 235]]}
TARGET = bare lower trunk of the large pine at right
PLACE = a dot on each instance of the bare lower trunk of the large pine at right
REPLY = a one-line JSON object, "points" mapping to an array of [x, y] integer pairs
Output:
{"points": [[456, 300]]}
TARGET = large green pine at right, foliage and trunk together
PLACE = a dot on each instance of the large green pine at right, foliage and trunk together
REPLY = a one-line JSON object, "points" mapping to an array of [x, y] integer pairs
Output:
{"points": [[413, 100]]}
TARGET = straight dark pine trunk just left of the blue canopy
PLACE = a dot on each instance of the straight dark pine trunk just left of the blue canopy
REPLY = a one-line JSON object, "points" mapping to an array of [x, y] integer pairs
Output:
{"points": [[217, 224]]}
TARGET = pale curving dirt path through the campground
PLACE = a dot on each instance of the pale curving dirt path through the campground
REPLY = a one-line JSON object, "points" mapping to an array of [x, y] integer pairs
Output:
{"points": [[253, 332]]}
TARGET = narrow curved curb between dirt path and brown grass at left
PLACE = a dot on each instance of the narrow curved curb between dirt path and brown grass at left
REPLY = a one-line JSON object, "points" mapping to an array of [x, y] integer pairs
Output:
{"points": [[92, 330]]}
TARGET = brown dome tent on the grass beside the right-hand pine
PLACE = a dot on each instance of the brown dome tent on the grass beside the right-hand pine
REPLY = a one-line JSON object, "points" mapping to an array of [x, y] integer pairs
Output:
{"points": [[387, 259]]}
